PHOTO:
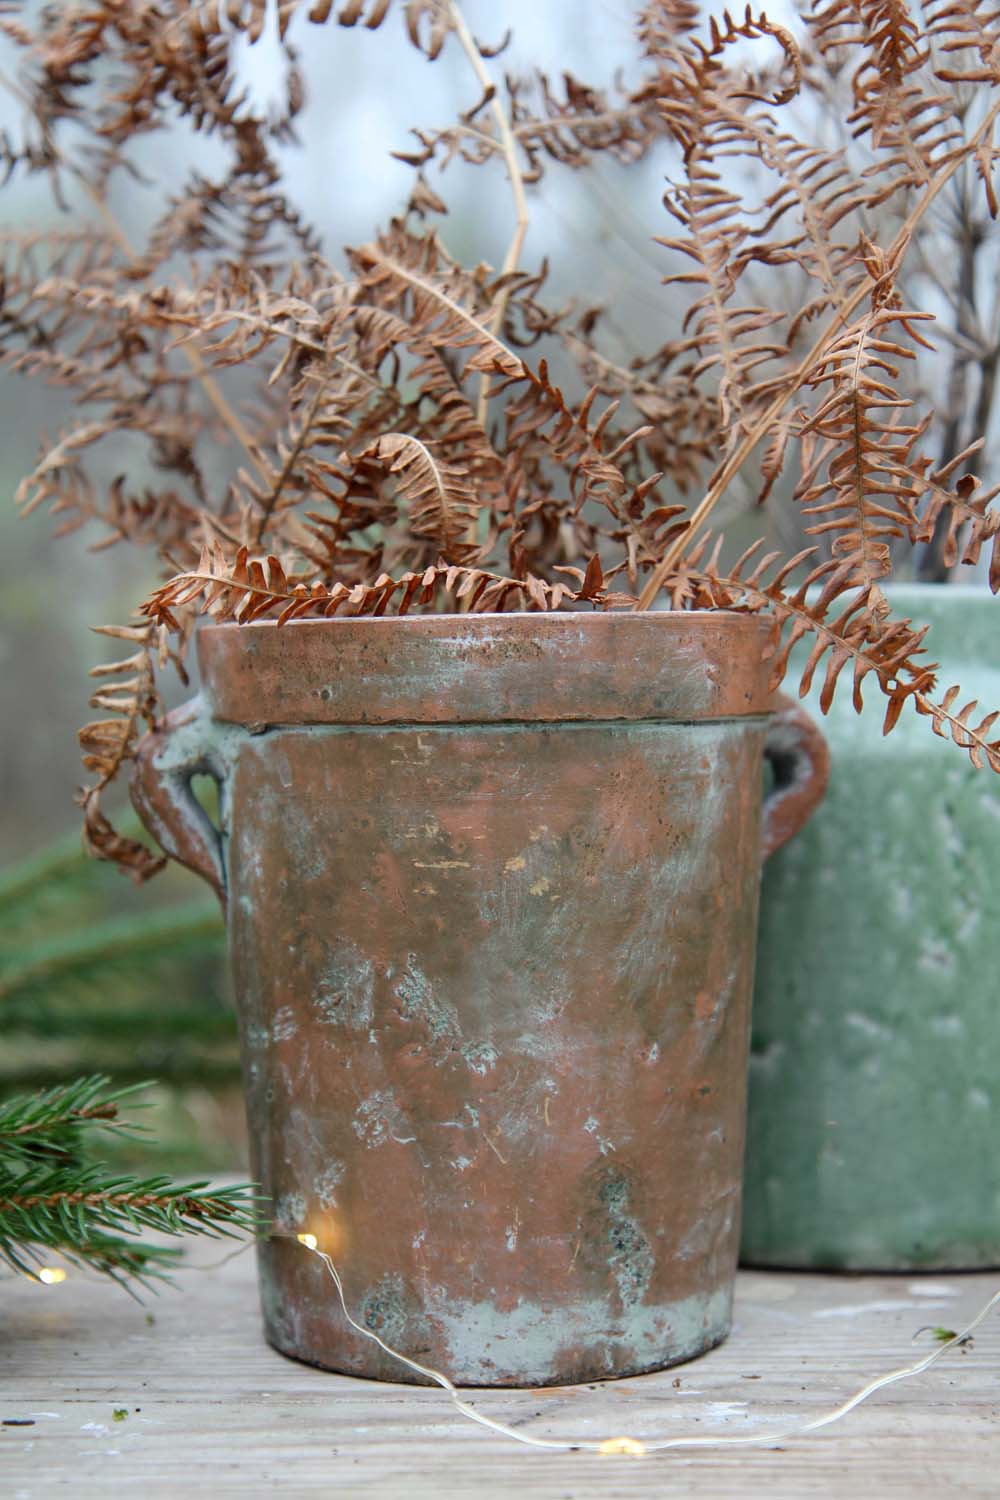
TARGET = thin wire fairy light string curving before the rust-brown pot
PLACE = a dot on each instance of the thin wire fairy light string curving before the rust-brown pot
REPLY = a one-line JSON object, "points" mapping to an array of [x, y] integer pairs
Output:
{"points": [[633, 1447]]}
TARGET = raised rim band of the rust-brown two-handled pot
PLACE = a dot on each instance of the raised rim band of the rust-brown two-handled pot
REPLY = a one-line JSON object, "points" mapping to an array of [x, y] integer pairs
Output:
{"points": [[443, 670]]}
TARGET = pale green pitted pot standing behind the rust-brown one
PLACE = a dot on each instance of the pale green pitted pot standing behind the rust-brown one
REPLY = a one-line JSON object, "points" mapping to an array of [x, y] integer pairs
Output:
{"points": [[876, 1036]]}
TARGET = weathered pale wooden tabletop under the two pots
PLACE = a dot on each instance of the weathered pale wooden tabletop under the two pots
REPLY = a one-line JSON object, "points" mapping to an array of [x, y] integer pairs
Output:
{"points": [[214, 1411]]}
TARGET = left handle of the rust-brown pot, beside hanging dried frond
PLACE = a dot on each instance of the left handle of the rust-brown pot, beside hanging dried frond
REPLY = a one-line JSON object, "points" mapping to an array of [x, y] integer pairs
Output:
{"points": [[166, 763]]}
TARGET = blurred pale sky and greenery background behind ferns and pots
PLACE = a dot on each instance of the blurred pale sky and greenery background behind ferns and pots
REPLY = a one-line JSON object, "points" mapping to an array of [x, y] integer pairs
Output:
{"points": [[95, 974]]}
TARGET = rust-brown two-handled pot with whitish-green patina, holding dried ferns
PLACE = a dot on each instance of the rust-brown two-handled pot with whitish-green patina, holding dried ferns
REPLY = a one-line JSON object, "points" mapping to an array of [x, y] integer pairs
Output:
{"points": [[493, 895]]}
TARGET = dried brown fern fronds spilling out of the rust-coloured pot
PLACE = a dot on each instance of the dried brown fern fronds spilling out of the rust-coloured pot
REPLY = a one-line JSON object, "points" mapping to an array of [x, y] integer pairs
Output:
{"points": [[421, 434]]}
